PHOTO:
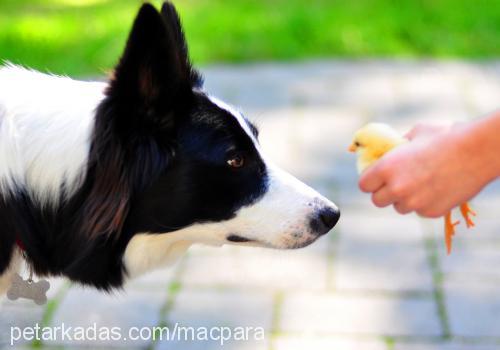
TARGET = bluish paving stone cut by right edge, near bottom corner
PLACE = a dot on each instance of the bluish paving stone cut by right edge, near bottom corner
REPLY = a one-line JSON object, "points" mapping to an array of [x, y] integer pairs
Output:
{"points": [[473, 309]]}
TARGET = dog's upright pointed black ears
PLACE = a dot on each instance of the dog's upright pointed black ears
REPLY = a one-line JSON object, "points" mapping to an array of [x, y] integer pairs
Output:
{"points": [[154, 75]]}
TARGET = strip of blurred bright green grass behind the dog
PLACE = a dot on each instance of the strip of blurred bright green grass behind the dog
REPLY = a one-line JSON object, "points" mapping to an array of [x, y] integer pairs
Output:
{"points": [[85, 37]]}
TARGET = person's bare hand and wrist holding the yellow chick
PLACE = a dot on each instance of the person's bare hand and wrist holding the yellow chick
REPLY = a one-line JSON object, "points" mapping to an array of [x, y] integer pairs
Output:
{"points": [[442, 167]]}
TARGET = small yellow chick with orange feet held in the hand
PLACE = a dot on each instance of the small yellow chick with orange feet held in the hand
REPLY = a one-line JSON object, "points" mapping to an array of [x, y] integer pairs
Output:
{"points": [[374, 140]]}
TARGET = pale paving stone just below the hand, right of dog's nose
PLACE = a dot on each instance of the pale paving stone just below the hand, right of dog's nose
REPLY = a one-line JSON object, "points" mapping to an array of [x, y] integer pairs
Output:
{"points": [[383, 251]]}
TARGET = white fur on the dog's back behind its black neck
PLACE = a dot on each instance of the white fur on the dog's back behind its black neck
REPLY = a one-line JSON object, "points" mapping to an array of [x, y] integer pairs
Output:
{"points": [[45, 128]]}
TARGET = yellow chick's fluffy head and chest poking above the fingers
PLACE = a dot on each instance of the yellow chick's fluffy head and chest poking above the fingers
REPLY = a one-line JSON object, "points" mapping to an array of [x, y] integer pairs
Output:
{"points": [[372, 141]]}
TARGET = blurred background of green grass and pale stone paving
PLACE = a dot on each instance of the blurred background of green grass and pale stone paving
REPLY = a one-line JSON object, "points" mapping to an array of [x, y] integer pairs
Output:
{"points": [[310, 73]]}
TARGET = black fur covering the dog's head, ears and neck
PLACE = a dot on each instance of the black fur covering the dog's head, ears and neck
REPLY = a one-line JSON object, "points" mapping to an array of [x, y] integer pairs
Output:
{"points": [[158, 163]]}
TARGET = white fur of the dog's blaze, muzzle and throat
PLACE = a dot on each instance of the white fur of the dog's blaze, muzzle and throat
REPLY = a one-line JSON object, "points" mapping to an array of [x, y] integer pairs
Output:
{"points": [[280, 219]]}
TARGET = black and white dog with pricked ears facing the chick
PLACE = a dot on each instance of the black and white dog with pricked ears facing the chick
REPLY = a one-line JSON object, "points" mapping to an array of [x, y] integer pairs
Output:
{"points": [[100, 182]]}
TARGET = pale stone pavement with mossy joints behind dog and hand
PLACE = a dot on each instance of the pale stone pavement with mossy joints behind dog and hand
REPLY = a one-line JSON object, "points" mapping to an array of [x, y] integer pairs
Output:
{"points": [[378, 281]]}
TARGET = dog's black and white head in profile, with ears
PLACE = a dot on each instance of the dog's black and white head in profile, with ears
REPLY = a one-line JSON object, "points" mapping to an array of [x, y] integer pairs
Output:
{"points": [[170, 159]]}
